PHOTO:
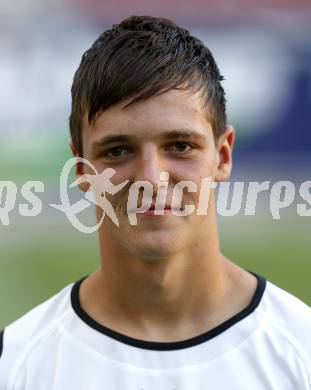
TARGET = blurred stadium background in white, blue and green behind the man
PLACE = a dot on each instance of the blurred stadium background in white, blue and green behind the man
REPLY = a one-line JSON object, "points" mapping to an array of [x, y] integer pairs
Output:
{"points": [[264, 52]]}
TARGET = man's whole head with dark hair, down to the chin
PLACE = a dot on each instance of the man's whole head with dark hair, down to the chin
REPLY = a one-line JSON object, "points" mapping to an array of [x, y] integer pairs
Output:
{"points": [[147, 98]]}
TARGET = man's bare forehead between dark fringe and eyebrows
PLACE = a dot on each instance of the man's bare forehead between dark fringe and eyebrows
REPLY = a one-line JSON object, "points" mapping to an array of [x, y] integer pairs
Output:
{"points": [[171, 110]]}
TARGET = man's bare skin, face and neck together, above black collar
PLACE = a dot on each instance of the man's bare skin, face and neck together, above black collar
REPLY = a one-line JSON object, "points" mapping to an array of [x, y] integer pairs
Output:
{"points": [[165, 279]]}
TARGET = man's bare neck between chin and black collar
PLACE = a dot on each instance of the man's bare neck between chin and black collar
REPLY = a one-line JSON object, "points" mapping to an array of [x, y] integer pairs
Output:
{"points": [[174, 297]]}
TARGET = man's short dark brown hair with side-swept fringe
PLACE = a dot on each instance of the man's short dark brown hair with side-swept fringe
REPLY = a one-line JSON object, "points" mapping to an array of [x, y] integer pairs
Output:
{"points": [[141, 57]]}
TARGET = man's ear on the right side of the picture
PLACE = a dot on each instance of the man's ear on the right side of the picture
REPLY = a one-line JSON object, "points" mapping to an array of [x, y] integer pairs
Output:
{"points": [[224, 150]]}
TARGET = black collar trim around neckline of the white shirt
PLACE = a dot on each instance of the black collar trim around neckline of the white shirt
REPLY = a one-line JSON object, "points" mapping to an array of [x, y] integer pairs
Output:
{"points": [[167, 346]]}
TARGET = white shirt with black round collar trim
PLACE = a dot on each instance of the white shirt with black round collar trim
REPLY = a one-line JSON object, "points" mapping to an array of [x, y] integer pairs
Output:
{"points": [[57, 346]]}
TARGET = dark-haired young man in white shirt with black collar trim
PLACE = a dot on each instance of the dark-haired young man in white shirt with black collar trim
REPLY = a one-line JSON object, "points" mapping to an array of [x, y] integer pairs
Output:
{"points": [[165, 310]]}
